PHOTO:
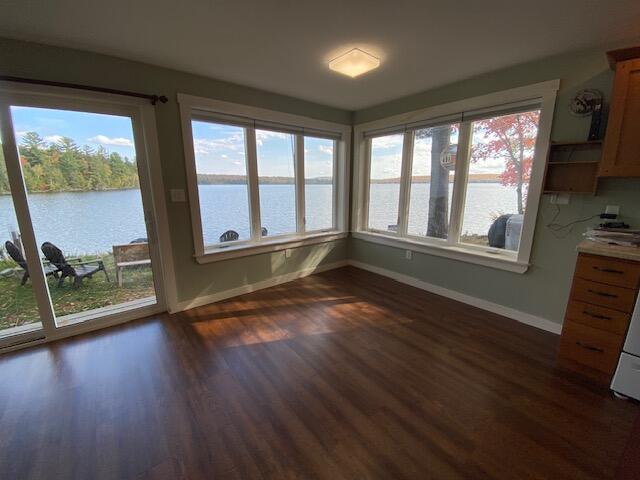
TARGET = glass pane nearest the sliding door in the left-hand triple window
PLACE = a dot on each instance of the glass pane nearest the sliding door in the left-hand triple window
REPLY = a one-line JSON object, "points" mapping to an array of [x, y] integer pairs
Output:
{"points": [[222, 181]]}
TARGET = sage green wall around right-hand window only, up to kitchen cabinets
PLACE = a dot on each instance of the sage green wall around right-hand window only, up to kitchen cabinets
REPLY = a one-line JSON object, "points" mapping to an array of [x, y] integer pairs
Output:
{"points": [[543, 290]]}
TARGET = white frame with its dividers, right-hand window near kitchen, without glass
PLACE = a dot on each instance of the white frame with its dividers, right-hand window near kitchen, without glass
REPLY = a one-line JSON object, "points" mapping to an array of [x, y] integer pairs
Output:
{"points": [[542, 94]]}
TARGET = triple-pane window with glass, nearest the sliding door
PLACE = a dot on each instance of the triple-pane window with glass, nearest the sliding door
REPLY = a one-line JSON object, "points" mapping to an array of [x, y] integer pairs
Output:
{"points": [[261, 180]]}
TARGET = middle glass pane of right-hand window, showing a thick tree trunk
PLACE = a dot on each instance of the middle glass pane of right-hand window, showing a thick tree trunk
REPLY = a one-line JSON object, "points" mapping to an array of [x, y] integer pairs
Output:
{"points": [[434, 158]]}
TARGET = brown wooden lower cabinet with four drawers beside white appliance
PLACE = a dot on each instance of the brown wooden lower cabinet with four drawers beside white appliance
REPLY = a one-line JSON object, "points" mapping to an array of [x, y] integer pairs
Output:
{"points": [[602, 297]]}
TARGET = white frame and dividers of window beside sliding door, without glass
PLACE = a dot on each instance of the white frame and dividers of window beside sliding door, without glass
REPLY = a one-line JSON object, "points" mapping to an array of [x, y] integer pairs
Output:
{"points": [[298, 125]]}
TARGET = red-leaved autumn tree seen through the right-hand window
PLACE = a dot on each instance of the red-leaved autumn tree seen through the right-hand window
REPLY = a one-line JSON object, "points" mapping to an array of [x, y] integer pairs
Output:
{"points": [[512, 138]]}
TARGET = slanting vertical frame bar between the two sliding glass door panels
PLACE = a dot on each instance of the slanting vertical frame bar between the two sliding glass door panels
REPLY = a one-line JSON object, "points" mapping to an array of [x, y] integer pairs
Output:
{"points": [[21, 205]]}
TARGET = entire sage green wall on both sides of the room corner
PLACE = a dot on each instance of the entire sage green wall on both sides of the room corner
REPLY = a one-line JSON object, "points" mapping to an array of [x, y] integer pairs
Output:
{"points": [[541, 291]]}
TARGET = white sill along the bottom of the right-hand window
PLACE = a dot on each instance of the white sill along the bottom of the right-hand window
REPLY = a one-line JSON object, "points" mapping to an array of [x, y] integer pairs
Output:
{"points": [[501, 261]]}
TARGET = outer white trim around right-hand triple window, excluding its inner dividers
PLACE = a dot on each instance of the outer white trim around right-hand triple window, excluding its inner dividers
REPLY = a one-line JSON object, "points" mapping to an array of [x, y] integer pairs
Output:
{"points": [[543, 93]]}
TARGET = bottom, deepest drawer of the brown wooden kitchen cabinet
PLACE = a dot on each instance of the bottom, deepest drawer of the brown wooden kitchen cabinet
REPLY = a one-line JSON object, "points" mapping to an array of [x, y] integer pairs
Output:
{"points": [[588, 346]]}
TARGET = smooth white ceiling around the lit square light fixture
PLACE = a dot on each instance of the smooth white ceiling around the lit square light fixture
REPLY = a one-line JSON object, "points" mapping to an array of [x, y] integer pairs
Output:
{"points": [[284, 45]]}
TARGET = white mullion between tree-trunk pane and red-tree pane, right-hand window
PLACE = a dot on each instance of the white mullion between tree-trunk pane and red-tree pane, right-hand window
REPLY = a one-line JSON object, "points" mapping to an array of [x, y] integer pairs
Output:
{"points": [[460, 183]]}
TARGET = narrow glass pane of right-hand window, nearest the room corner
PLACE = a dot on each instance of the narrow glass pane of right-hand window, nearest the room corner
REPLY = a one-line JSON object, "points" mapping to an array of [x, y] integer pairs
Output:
{"points": [[384, 182]]}
